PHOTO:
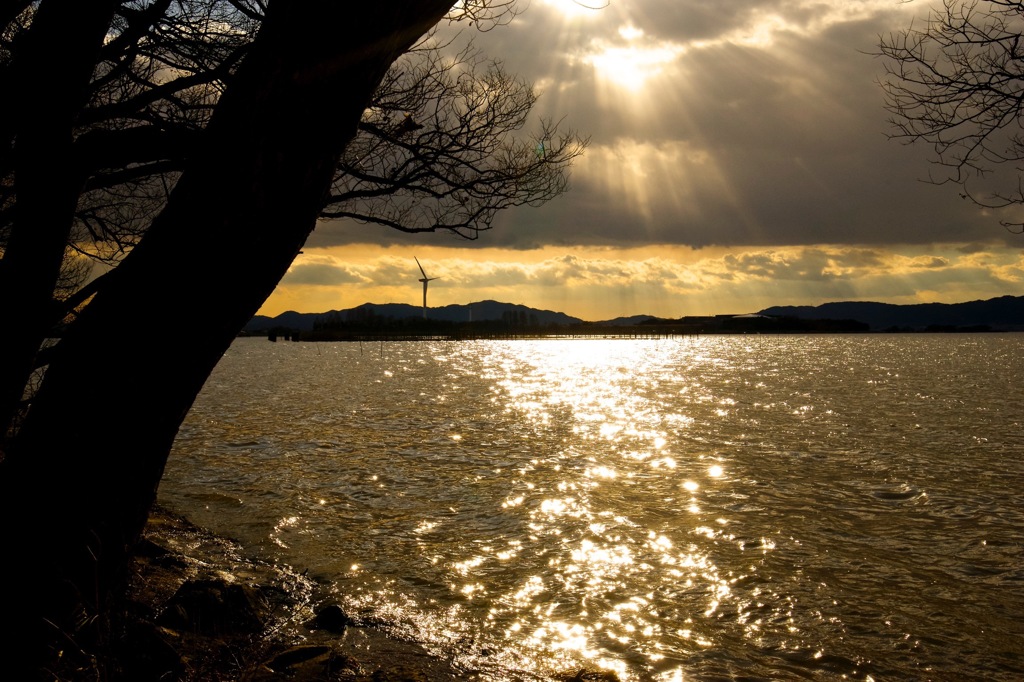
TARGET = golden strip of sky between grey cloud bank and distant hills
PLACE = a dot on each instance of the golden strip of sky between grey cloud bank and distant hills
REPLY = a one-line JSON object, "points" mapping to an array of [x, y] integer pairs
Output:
{"points": [[671, 281]]}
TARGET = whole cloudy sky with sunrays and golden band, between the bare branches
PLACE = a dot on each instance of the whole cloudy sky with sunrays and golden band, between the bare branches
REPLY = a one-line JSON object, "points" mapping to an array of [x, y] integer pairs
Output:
{"points": [[740, 157]]}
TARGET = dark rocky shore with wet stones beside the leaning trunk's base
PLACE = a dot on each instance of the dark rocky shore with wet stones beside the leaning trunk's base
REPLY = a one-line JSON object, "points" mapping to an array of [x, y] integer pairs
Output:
{"points": [[200, 611]]}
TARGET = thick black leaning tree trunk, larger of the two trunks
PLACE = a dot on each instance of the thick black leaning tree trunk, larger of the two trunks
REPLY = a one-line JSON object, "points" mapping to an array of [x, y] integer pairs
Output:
{"points": [[84, 468]]}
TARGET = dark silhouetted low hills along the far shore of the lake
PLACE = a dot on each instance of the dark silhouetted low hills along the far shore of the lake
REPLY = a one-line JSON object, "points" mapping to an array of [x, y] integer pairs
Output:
{"points": [[1004, 314]]}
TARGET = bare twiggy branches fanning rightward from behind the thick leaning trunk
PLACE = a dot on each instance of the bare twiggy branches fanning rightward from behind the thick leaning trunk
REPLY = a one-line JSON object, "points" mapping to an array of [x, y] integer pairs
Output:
{"points": [[440, 149]]}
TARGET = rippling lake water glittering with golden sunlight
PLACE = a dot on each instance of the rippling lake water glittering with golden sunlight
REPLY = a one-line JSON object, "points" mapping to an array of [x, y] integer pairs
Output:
{"points": [[712, 508]]}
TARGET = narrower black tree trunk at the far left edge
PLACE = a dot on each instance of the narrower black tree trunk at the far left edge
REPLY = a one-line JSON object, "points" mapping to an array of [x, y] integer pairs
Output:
{"points": [[50, 81]]}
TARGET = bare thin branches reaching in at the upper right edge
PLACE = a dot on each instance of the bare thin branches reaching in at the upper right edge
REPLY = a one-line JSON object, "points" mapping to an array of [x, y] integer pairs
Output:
{"points": [[957, 83]]}
